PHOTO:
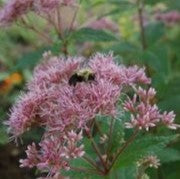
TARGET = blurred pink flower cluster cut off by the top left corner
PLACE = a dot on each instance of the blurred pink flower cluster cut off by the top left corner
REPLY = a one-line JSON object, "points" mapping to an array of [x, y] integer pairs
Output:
{"points": [[16, 8]]}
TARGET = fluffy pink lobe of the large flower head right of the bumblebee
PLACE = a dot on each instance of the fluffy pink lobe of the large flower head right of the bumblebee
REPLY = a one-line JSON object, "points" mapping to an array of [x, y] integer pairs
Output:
{"points": [[105, 67]]}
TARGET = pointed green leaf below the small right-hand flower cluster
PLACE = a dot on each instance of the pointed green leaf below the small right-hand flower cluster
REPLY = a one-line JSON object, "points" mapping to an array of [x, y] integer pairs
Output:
{"points": [[142, 147]]}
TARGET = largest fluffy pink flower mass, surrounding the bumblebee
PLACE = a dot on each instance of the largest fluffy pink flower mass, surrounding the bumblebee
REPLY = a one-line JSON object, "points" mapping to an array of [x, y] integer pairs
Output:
{"points": [[52, 102]]}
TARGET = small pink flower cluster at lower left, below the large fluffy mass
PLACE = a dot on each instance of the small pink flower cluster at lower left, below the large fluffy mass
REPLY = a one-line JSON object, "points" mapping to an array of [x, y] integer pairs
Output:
{"points": [[54, 153]]}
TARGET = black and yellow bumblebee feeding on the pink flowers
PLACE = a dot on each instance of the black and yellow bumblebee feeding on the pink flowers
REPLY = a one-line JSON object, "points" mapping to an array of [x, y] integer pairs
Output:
{"points": [[83, 75]]}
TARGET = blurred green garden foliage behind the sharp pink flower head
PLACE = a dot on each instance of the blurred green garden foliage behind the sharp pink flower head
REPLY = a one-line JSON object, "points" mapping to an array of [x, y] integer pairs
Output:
{"points": [[22, 49]]}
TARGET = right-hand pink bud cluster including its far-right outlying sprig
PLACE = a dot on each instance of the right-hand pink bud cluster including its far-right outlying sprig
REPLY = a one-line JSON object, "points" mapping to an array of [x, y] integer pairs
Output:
{"points": [[144, 113]]}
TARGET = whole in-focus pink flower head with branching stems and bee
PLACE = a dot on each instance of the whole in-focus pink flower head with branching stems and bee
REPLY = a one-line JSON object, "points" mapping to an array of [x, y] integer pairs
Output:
{"points": [[87, 112]]}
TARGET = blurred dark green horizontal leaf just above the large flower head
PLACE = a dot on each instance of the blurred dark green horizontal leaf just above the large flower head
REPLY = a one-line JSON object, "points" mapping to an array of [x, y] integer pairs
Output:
{"points": [[88, 34]]}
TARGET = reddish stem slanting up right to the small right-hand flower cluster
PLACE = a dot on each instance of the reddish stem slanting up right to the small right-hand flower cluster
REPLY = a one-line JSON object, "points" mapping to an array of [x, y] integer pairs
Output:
{"points": [[126, 144]]}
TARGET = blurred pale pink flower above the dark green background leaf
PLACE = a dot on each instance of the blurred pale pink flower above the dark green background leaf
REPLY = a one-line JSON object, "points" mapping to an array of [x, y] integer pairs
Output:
{"points": [[104, 24]]}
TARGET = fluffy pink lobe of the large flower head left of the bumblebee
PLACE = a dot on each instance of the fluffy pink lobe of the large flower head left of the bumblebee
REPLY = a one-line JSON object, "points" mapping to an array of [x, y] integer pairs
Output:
{"points": [[53, 71]]}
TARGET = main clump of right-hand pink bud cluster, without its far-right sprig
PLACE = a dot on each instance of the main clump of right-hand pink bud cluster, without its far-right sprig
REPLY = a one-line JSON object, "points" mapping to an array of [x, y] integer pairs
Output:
{"points": [[143, 114]]}
